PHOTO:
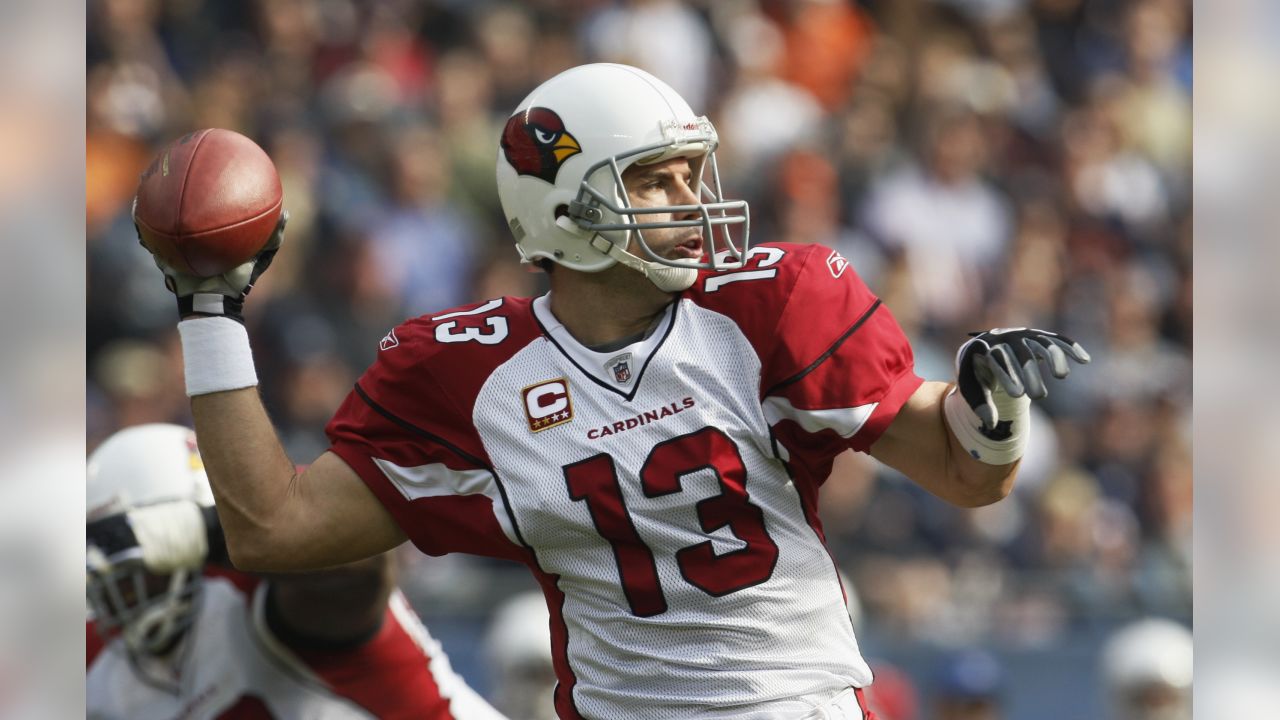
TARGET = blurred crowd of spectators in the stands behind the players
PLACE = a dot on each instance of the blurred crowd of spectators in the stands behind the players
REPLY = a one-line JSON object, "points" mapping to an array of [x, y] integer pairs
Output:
{"points": [[982, 163]]}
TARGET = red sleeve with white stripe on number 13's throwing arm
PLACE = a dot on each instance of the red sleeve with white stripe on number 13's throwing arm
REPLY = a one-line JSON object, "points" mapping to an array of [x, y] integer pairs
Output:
{"points": [[406, 429]]}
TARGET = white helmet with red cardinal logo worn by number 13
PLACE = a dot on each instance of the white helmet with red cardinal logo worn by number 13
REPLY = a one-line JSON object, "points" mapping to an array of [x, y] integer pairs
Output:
{"points": [[560, 175]]}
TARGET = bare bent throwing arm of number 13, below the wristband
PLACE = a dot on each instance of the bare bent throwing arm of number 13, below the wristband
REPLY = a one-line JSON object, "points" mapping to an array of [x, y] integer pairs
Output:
{"points": [[275, 518]]}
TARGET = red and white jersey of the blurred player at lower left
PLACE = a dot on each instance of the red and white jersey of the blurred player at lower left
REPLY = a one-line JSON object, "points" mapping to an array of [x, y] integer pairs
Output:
{"points": [[231, 667]]}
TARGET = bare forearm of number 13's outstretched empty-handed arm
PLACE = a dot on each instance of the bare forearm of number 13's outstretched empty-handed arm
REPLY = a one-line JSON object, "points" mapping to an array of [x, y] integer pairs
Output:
{"points": [[921, 445]]}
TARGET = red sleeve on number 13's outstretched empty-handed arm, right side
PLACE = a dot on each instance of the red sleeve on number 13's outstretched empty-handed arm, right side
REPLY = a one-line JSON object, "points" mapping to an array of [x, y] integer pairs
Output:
{"points": [[836, 367]]}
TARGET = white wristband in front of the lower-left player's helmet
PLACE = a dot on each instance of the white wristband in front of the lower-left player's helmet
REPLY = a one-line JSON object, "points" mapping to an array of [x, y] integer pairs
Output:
{"points": [[171, 535]]}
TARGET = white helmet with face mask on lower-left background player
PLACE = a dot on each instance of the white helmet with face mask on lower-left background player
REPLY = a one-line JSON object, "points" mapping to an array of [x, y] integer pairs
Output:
{"points": [[138, 467]]}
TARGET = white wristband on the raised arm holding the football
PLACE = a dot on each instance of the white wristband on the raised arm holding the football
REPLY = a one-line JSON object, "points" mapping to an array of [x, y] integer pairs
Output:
{"points": [[217, 356]]}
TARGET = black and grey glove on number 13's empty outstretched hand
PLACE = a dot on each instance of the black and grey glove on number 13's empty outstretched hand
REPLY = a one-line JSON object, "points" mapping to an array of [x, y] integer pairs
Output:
{"points": [[1007, 361]]}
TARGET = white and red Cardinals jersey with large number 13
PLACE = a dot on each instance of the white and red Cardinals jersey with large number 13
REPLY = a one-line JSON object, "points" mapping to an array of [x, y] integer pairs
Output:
{"points": [[665, 495]]}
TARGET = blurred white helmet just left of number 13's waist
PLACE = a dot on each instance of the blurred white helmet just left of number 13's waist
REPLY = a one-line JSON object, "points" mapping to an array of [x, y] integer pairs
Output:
{"points": [[519, 654]]}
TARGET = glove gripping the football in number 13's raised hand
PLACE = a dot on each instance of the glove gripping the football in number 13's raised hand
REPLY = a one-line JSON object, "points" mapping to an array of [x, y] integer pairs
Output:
{"points": [[220, 295]]}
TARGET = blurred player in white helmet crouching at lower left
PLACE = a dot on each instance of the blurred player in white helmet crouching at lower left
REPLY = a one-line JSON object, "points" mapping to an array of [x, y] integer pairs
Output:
{"points": [[175, 635]]}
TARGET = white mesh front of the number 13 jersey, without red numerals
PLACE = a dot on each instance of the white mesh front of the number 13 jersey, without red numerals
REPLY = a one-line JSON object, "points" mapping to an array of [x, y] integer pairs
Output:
{"points": [[770, 650]]}
